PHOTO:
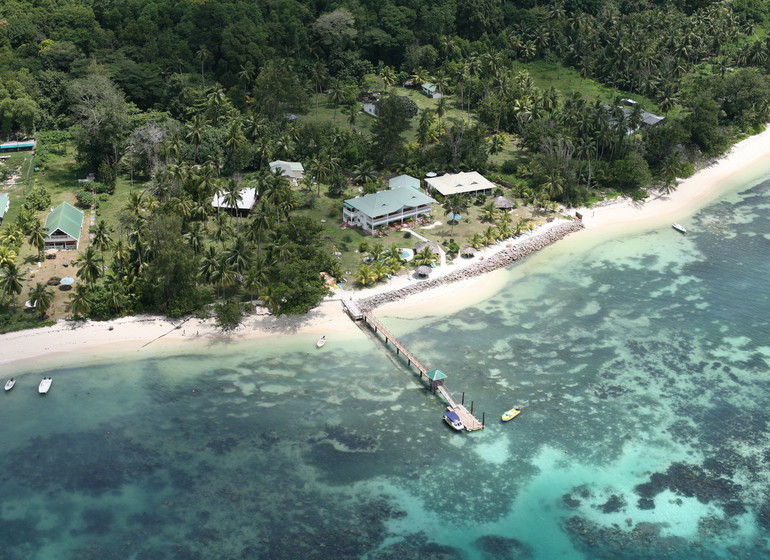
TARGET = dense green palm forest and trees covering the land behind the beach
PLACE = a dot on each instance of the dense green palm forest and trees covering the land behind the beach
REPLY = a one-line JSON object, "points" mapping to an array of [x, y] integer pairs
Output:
{"points": [[169, 102]]}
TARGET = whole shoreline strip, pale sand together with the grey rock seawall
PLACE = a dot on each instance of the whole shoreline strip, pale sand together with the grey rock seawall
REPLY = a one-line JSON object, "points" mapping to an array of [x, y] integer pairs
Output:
{"points": [[446, 290]]}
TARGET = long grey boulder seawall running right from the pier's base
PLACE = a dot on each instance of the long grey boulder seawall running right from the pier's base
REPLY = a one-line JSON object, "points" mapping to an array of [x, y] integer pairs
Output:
{"points": [[498, 260]]}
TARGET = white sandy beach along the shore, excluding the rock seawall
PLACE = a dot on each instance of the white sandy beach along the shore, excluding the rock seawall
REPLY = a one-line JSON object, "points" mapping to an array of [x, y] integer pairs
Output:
{"points": [[137, 333]]}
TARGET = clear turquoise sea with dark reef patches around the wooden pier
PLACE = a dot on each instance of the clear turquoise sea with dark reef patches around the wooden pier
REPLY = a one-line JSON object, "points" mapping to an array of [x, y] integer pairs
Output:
{"points": [[641, 362]]}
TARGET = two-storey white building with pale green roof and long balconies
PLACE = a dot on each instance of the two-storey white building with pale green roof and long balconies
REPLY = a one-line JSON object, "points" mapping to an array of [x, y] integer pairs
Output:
{"points": [[386, 207]]}
